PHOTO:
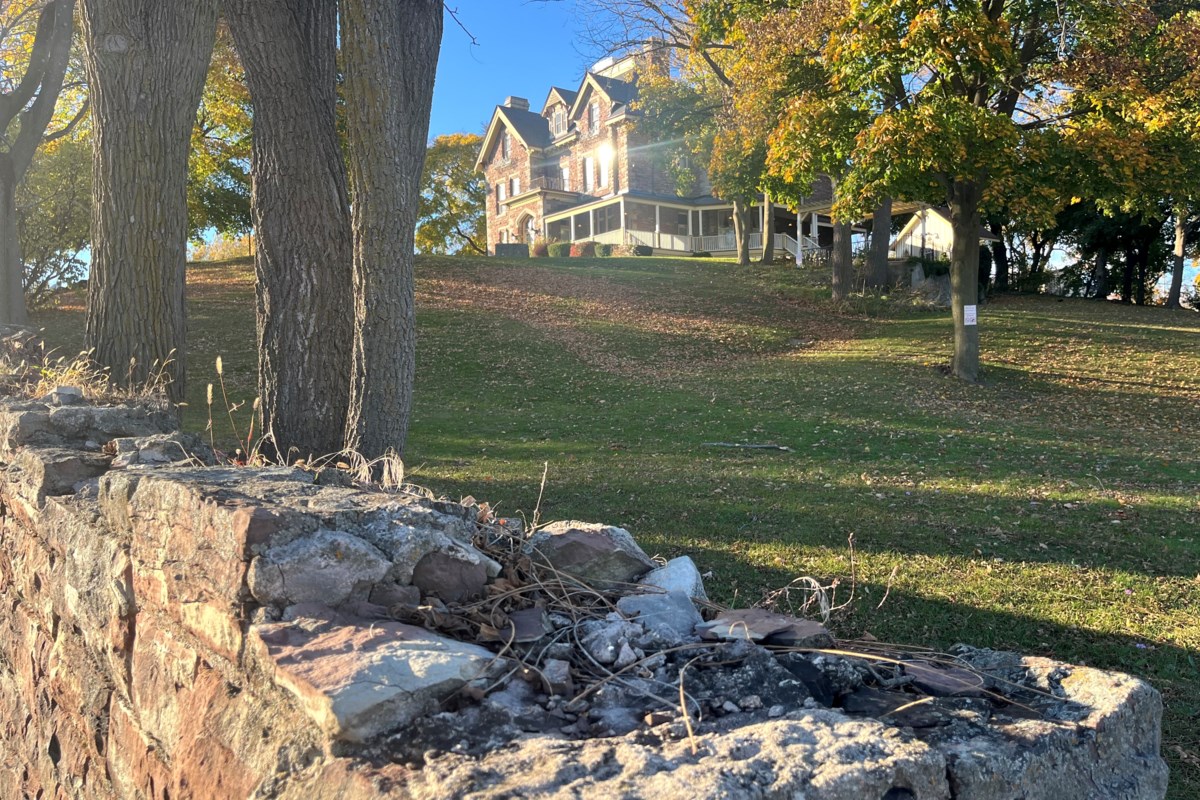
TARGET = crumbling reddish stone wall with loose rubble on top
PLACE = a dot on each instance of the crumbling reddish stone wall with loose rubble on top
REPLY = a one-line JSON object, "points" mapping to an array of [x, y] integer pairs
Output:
{"points": [[176, 631]]}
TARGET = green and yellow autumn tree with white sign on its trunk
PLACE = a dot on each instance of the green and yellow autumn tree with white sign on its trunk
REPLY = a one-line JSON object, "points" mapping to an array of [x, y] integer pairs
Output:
{"points": [[974, 104]]}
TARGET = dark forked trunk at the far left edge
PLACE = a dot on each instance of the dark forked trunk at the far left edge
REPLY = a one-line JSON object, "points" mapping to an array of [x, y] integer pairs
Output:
{"points": [[32, 101]]}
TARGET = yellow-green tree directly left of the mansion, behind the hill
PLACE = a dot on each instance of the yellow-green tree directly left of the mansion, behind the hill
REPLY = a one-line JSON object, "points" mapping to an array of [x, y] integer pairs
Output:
{"points": [[451, 218]]}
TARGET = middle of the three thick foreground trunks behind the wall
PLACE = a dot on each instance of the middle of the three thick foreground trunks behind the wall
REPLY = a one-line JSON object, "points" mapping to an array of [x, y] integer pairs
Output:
{"points": [[302, 219]]}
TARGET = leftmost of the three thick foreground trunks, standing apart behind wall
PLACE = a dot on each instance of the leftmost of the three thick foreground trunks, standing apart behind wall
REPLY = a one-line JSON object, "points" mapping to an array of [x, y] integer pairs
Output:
{"points": [[147, 62]]}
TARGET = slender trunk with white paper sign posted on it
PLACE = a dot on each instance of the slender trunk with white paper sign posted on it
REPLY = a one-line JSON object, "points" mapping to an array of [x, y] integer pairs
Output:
{"points": [[965, 278]]}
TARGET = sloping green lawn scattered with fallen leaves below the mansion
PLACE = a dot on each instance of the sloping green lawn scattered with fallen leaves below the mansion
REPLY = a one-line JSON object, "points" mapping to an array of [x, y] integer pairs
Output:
{"points": [[1054, 510]]}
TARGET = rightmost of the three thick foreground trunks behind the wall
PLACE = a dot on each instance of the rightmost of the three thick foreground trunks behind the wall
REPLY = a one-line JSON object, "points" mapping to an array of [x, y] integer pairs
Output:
{"points": [[391, 56]]}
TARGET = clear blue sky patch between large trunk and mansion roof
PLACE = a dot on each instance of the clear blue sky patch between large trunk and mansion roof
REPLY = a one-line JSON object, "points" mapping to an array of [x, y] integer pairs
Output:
{"points": [[524, 49]]}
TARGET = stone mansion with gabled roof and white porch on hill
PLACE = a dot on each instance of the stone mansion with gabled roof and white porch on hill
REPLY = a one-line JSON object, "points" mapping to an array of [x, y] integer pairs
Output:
{"points": [[580, 171]]}
